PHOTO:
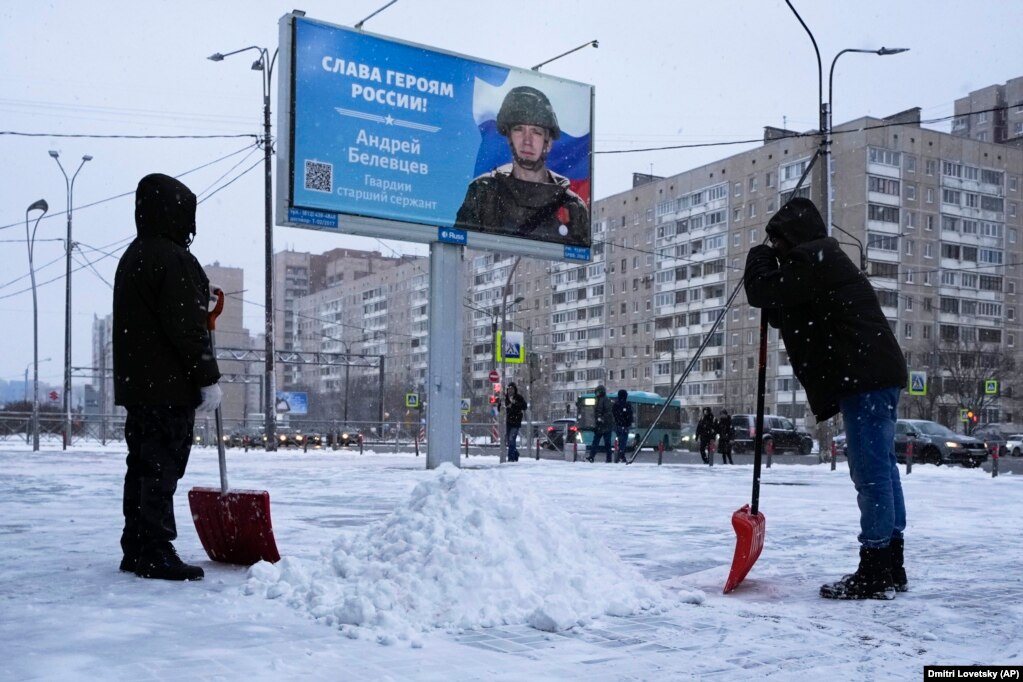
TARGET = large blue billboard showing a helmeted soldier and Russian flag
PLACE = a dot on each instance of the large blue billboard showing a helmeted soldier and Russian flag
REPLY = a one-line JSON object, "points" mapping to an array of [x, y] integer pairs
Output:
{"points": [[395, 141]]}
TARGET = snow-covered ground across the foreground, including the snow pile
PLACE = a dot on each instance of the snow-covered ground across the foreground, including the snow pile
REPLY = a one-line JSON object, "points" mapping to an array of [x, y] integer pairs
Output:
{"points": [[533, 571]]}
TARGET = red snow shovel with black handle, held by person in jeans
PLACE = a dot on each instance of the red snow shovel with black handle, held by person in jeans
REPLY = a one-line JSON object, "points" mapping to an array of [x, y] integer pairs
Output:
{"points": [[748, 521]]}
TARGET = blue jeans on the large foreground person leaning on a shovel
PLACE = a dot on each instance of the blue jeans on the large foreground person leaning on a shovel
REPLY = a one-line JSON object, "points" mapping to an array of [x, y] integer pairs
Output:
{"points": [[870, 430]]}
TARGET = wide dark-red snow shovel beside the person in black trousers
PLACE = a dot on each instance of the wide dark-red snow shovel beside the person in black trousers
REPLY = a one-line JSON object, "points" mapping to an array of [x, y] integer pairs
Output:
{"points": [[234, 526]]}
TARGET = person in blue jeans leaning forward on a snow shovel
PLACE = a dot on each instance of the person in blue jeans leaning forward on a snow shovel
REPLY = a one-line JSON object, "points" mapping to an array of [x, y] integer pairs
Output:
{"points": [[819, 299]]}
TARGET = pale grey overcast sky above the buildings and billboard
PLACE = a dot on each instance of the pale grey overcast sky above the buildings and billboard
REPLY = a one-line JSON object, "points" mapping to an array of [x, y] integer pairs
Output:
{"points": [[665, 74]]}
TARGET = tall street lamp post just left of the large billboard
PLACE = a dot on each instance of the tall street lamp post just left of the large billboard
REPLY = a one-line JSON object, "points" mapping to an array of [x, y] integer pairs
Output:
{"points": [[265, 65]]}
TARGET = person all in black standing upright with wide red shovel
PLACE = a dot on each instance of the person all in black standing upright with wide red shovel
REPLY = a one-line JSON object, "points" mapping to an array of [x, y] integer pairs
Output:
{"points": [[164, 370]]}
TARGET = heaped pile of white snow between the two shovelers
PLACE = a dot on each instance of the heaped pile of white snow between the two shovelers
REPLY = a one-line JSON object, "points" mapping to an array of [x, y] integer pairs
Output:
{"points": [[465, 552]]}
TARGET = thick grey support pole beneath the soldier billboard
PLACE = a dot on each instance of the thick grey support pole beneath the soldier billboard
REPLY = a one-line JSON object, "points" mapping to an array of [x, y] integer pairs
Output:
{"points": [[444, 385]]}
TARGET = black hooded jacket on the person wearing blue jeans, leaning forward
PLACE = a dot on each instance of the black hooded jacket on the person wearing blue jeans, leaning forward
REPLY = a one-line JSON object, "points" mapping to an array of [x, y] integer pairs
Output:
{"points": [[838, 340]]}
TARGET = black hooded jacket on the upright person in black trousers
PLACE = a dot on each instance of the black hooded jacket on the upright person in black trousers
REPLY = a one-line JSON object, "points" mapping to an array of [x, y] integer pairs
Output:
{"points": [[162, 349]]}
